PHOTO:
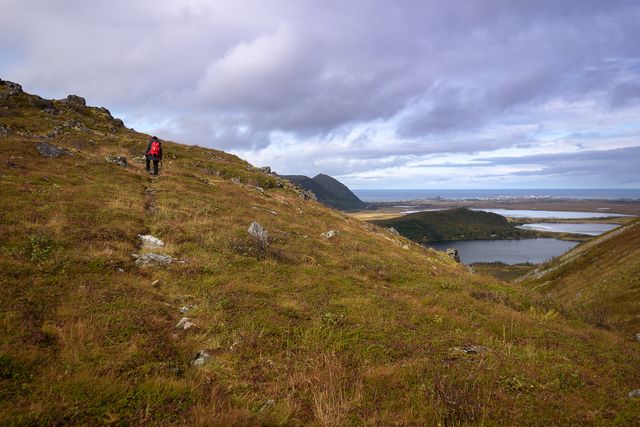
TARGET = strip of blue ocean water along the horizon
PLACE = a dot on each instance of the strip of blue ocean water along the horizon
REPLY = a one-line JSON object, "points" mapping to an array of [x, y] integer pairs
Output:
{"points": [[369, 195]]}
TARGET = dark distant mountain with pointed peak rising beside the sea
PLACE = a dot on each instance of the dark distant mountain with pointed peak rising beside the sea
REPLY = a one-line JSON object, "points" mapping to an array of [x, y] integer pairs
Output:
{"points": [[329, 191]]}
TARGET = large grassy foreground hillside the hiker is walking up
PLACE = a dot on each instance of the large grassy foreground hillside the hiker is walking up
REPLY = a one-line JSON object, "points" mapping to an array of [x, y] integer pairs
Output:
{"points": [[361, 328]]}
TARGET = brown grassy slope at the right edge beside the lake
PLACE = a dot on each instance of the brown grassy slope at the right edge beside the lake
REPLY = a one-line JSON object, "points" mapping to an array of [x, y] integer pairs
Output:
{"points": [[598, 280]]}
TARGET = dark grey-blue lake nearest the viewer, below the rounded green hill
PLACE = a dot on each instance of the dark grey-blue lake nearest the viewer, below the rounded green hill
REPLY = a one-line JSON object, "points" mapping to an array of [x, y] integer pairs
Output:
{"points": [[508, 251]]}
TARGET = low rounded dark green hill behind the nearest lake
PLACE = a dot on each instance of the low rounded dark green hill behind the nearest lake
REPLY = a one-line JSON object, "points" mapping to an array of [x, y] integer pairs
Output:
{"points": [[454, 224]]}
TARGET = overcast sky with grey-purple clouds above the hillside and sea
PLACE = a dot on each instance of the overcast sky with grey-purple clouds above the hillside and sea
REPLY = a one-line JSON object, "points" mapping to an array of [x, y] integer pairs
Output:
{"points": [[379, 93]]}
